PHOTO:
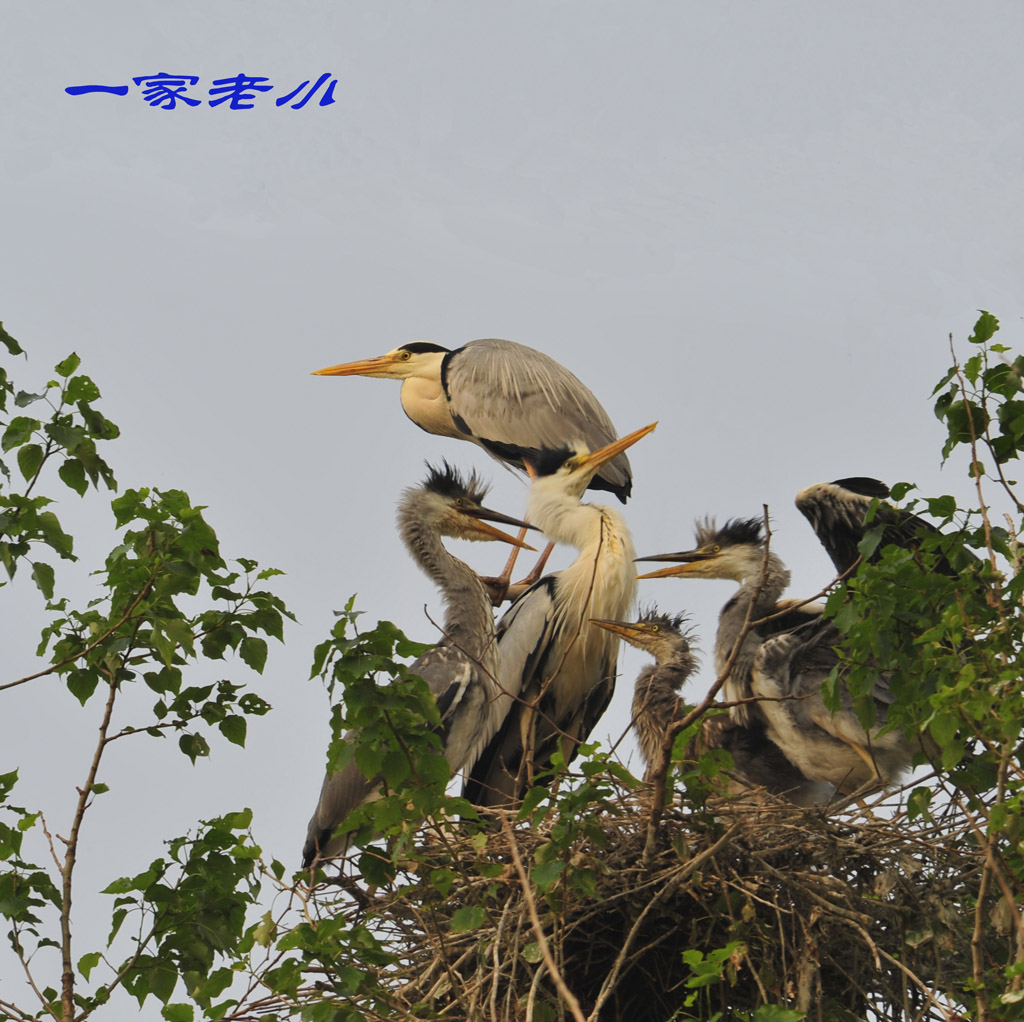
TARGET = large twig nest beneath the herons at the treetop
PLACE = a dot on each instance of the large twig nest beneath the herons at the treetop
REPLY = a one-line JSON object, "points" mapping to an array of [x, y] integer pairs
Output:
{"points": [[842, 915]]}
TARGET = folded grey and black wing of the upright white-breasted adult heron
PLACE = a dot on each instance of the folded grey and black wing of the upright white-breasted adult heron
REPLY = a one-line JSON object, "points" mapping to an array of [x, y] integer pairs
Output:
{"points": [[525, 636]]}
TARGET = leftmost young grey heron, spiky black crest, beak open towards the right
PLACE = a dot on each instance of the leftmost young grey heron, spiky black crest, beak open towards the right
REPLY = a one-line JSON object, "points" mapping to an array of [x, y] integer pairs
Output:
{"points": [[462, 669]]}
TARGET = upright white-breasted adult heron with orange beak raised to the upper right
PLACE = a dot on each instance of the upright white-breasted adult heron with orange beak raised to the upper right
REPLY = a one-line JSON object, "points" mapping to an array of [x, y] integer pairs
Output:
{"points": [[558, 671]]}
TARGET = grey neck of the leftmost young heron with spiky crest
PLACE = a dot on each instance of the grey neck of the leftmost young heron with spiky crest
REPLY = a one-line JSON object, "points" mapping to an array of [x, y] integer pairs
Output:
{"points": [[470, 622]]}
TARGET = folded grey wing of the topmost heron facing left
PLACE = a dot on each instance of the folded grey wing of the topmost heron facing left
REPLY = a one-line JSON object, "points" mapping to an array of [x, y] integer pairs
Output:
{"points": [[515, 400]]}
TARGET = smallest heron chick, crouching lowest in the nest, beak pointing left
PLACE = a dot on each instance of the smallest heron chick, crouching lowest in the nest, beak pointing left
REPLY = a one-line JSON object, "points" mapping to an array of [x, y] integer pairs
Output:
{"points": [[757, 761]]}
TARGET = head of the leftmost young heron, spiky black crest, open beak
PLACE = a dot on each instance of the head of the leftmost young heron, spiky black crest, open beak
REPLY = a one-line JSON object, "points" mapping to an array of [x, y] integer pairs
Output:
{"points": [[453, 506]]}
